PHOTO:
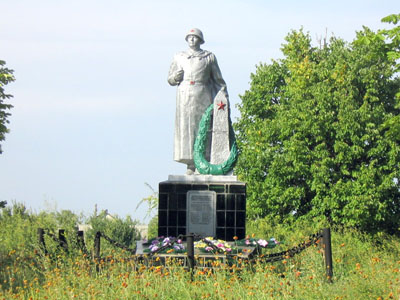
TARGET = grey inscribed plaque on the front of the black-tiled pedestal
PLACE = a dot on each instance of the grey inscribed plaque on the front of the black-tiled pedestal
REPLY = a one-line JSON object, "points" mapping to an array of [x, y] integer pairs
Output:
{"points": [[201, 213]]}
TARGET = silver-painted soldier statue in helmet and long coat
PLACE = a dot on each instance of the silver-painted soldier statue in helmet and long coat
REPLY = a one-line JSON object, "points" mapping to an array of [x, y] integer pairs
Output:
{"points": [[198, 77]]}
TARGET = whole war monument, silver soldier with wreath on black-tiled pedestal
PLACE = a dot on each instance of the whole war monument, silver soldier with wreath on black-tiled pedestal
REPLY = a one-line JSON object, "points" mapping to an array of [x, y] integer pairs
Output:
{"points": [[207, 200]]}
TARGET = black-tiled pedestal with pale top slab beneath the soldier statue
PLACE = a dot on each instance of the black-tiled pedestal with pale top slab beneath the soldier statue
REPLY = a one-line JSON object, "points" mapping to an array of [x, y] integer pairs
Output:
{"points": [[230, 211]]}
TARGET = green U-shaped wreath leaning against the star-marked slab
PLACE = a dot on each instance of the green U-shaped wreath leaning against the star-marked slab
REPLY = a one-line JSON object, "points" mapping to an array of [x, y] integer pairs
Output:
{"points": [[201, 164]]}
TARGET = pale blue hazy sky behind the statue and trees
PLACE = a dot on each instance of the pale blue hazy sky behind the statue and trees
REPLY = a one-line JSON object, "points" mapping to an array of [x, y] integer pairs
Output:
{"points": [[93, 113]]}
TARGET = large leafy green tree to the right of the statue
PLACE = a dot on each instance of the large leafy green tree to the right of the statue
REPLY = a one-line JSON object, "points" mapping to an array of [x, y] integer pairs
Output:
{"points": [[314, 133]]}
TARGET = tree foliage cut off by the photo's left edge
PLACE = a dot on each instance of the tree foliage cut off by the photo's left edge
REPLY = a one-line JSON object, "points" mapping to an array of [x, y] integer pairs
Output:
{"points": [[6, 76]]}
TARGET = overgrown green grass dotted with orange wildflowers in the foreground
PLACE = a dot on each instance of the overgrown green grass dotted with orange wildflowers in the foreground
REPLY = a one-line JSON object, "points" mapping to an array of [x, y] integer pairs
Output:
{"points": [[365, 267]]}
